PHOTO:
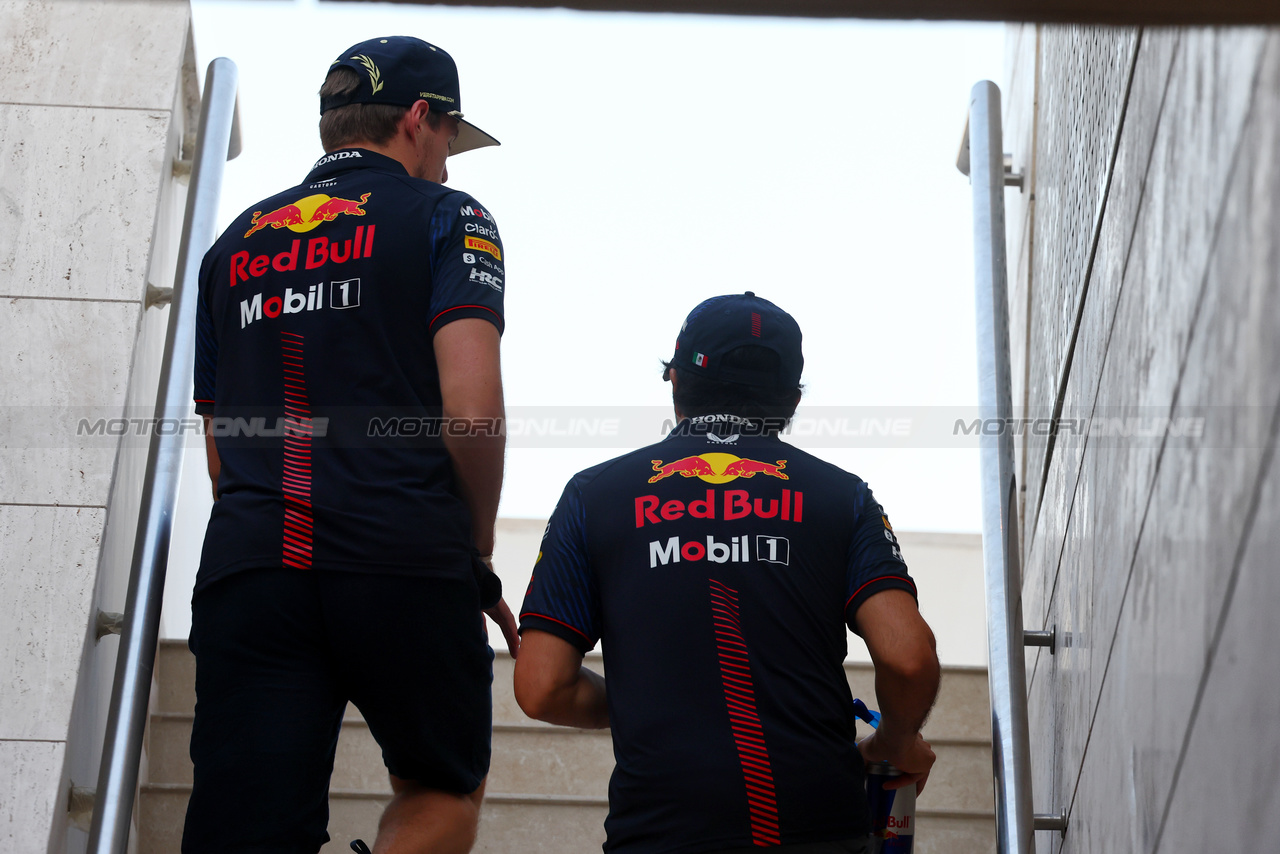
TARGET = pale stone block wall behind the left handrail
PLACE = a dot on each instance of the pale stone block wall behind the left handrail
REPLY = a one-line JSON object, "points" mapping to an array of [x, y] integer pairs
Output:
{"points": [[95, 99]]}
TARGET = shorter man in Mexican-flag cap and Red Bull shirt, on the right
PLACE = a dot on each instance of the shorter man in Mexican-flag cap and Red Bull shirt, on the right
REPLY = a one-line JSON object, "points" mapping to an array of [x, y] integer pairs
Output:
{"points": [[719, 569]]}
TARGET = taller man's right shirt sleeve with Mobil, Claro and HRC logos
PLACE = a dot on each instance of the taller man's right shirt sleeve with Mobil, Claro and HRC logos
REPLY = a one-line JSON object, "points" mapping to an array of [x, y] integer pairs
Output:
{"points": [[469, 271]]}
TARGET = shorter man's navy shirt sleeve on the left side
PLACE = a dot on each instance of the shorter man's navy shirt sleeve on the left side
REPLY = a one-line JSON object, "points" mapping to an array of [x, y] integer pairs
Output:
{"points": [[564, 596]]}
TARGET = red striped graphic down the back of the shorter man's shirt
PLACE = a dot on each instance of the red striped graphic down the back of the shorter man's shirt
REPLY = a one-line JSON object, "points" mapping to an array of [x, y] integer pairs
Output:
{"points": [[753, 753]]}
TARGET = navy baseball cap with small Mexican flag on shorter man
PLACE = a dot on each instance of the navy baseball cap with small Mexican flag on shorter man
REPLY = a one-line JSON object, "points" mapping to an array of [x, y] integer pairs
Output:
{"points": [[723, 325]]}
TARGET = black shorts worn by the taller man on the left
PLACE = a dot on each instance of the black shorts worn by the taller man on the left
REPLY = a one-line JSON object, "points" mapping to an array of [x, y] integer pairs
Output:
{"points": [[278, 656]]}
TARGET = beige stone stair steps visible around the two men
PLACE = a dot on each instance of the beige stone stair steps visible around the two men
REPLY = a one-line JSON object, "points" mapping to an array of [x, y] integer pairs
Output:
{"points": [[560, 777]]}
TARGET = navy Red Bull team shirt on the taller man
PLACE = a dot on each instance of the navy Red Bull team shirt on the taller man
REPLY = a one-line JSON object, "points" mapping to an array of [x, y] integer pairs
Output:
{"points": [[314, 355]]}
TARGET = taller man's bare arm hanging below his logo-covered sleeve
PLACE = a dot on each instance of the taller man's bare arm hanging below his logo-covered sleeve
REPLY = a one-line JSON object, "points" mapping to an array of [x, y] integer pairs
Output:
{"points": [[468, 357]]}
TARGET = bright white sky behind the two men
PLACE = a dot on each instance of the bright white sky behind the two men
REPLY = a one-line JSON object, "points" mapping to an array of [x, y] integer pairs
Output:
{"points": [[651, 162]]}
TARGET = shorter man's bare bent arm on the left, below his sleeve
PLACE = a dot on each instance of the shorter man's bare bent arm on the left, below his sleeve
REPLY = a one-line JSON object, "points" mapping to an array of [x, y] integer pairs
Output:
{"points": [[554, 687]]}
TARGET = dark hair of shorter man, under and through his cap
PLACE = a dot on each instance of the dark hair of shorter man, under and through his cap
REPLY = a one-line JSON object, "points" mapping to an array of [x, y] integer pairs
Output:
{"points": [[697, 395]]}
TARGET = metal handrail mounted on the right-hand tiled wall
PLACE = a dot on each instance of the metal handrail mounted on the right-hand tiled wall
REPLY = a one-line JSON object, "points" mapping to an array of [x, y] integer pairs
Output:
{"points": [[982, 158]]}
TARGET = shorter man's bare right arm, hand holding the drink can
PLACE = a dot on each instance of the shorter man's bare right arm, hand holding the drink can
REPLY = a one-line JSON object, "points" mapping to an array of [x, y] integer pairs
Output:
{"points": [[907, 683]]}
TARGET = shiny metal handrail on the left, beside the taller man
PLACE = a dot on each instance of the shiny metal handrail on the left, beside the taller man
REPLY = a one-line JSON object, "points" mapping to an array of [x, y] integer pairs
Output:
{"points": [[131, 691]]}
